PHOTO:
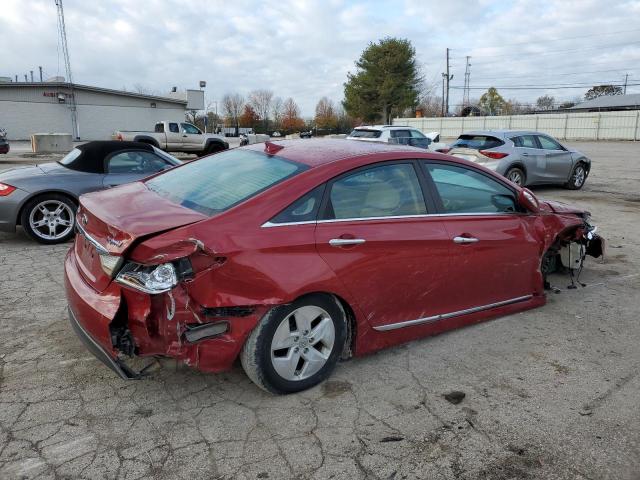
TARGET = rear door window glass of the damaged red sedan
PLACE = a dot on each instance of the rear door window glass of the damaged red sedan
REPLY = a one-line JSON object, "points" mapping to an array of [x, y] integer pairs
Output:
{"points": [[383, 191]]}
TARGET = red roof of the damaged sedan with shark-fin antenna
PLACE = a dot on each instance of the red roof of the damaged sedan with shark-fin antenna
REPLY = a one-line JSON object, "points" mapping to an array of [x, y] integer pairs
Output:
{"points": [[319, 151]]}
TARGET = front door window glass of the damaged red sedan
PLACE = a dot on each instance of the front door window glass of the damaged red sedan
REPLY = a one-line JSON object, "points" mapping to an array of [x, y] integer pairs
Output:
{"points": [[463, 190]]}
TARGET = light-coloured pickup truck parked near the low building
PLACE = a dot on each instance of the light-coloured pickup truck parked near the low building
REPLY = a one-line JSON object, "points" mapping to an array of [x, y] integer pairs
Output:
{"points": [[176, 137]]}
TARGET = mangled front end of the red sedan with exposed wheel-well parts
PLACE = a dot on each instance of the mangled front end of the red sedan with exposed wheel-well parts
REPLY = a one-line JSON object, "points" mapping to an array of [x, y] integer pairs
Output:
{"points": [[570, 249]]}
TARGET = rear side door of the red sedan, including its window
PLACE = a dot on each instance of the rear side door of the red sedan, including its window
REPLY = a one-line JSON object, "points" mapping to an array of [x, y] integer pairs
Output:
{"points": [[375, 234]]}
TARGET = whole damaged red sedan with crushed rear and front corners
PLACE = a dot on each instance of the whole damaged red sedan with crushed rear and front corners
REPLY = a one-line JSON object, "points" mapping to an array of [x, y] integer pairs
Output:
{"points": [[291, 255]]}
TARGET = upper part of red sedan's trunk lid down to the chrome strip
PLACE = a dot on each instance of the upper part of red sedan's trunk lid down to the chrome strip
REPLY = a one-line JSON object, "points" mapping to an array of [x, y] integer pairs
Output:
{"points": [[117, 217]]}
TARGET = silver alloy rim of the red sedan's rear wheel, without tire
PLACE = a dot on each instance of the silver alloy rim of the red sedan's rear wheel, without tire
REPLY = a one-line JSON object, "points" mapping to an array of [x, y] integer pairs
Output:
{"points": [[302, 343]]}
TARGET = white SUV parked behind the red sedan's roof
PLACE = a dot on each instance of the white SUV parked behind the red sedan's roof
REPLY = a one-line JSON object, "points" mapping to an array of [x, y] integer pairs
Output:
{"points": [[397, 134]]}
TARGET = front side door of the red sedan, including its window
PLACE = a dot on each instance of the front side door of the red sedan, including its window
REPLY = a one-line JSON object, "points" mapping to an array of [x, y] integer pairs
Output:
{"points": [[494, 256]]}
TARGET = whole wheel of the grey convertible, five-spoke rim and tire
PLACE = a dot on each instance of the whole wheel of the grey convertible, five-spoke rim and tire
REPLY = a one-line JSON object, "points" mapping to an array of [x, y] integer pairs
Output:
{"points": [[49, 218]]}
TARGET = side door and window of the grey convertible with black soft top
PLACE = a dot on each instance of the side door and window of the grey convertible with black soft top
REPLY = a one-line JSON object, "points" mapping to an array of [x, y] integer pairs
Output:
{"points": [[131, 166]]}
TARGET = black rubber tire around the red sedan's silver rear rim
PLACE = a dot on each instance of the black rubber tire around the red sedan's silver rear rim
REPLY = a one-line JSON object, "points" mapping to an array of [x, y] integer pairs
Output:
{"points": [[257, 356]]}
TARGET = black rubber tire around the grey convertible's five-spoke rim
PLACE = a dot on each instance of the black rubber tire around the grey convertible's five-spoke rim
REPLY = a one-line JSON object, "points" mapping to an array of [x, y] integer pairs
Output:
{"points": [[30, 210]]}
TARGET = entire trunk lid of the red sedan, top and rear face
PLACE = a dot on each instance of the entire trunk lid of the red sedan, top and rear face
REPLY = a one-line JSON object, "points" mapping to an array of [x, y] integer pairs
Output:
{"points": [[110, 221]]}
